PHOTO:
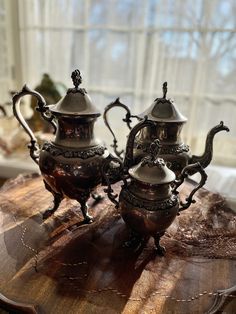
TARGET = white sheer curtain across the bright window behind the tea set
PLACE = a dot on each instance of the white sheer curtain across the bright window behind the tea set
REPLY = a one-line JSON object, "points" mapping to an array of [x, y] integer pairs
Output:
{"points": [[128, 48]]}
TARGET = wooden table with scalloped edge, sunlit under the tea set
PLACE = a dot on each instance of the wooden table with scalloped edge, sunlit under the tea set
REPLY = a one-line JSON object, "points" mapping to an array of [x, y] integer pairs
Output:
{"points": [[62, 266]]}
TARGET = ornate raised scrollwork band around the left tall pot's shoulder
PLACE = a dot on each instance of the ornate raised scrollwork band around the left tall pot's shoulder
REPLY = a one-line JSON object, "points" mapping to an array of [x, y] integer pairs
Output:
{"points": [[69, 153]]}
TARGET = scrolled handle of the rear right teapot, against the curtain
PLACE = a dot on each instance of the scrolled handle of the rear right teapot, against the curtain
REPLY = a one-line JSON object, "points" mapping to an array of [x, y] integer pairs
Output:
{"points": [[127, 120]]}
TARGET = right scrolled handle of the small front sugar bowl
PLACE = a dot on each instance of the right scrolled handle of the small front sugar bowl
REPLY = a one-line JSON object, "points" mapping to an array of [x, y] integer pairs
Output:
{"points": [[184, 174]]}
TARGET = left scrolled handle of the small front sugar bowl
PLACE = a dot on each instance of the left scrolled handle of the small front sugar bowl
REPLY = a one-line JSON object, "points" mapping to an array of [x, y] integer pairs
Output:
{"points": [[119, 174]]}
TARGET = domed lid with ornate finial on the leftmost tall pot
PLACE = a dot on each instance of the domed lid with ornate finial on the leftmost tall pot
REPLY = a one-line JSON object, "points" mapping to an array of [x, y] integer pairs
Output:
{"points": [[76, 102]]}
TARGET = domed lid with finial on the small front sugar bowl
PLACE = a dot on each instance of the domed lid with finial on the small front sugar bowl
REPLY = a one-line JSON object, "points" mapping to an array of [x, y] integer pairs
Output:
{"points": [[151, 169]]}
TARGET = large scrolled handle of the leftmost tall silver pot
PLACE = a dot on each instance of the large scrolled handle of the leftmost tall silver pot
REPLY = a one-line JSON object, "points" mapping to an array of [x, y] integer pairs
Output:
{"points": [[42, 108]]}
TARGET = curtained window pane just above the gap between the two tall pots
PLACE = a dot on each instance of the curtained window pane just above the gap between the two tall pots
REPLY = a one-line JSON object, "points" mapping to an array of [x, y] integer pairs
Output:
{"points": [[112, 59]]}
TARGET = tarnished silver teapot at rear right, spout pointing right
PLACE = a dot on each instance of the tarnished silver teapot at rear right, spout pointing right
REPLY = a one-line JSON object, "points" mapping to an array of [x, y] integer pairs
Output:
{"points": [[167, 127]]}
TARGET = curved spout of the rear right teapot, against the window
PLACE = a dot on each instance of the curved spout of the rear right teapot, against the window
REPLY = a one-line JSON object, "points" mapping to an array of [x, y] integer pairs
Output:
{"points": [[206, 158]]}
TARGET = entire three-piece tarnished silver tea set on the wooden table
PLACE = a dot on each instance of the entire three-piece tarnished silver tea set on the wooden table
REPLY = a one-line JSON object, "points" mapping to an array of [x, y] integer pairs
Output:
{"points": [[155, 162]]}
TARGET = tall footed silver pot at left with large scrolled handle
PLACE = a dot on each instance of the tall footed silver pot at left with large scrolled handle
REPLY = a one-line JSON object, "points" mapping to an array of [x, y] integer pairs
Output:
{"points": [[71, 163]]}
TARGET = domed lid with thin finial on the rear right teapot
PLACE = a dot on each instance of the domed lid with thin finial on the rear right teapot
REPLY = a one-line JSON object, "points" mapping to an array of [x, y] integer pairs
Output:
{"points": [[163, 110]]}
